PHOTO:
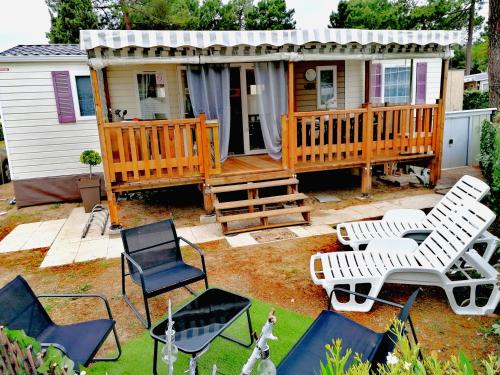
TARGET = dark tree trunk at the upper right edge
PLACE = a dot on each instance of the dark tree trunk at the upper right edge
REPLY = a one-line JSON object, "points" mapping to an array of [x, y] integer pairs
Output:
{"points": [[494, 54]]}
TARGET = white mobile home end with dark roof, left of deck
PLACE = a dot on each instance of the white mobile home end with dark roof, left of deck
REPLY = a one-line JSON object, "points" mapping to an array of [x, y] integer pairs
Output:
{"points": [[48, 120]]}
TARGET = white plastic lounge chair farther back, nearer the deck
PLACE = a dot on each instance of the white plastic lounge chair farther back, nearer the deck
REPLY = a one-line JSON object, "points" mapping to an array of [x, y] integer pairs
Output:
{"points": [[415, 223]]}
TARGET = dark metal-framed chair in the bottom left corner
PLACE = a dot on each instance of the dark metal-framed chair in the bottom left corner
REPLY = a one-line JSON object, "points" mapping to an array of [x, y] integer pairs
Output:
{"points": [[21, 309]]}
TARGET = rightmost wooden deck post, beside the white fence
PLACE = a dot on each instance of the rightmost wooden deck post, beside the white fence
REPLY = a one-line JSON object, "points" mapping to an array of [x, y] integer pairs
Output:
{"points": [[436, 162]]}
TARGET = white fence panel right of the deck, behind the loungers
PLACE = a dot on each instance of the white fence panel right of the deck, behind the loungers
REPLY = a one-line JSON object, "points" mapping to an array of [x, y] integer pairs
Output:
{"points": [[462, 131]]}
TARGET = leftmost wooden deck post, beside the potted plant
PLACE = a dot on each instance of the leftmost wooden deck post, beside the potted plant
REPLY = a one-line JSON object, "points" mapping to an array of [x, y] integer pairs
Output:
{"points": [[112, 205]]}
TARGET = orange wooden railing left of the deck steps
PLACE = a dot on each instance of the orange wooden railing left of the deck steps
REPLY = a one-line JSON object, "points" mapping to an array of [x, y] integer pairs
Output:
{"points": [[152, 150]]}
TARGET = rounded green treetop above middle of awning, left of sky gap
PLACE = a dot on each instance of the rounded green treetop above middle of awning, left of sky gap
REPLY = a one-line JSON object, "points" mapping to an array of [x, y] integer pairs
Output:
{"points": [[270, 15]]}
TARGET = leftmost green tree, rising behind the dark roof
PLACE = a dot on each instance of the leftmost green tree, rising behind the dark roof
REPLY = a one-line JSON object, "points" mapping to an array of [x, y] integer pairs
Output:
{"points": [[68, 17]]}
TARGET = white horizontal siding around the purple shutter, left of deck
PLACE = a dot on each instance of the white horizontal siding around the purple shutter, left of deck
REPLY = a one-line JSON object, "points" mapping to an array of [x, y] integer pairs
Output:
{"points": [[38, 145]]}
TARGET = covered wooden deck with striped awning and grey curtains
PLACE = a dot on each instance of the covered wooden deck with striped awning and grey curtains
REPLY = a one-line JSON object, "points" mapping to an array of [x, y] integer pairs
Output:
{"points": [[279, 103]]}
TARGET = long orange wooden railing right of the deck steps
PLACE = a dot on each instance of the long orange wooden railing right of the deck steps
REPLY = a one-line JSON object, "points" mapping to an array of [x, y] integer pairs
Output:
{"points": [[364, 135]]}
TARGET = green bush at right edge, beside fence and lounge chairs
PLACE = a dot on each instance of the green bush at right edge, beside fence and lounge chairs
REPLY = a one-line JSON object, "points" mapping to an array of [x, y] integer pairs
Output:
{"points": [[489, 161]]}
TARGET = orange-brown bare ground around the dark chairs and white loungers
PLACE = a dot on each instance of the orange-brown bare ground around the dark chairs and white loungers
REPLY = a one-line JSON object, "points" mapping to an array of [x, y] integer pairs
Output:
{"points": [[277, 273]]}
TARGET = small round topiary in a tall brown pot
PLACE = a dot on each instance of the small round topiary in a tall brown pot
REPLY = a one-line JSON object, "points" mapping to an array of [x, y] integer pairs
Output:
{"points": [[90, 188]]}
